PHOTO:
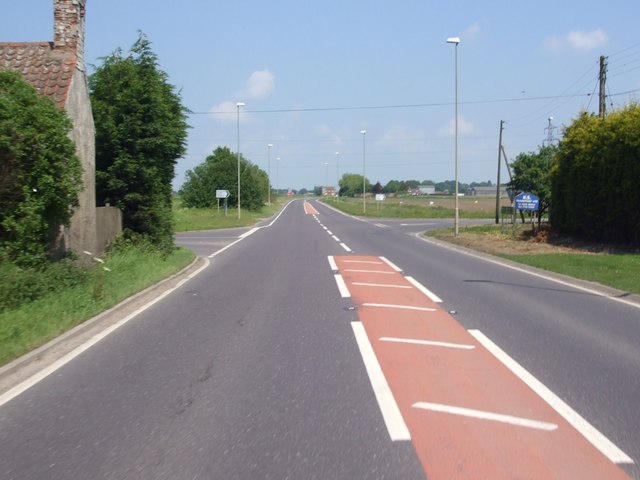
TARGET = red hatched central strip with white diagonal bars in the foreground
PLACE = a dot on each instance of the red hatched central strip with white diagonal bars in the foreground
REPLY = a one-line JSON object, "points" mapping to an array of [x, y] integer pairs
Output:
{"points": [[468, 415]]}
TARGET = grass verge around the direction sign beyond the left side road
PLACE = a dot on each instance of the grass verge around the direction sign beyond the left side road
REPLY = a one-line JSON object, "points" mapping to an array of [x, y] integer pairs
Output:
{"points": [[190, 219]]}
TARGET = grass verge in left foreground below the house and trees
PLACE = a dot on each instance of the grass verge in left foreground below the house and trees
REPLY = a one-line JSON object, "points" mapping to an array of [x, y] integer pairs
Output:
{"points": [[31, 324]]}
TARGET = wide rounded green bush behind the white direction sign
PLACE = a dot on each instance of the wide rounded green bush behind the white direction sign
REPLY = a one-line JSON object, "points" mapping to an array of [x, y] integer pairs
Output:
{"points": [[219, 171]]}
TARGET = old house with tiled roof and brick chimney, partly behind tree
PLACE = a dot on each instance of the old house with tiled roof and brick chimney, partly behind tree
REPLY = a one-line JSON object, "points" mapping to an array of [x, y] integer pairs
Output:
{"points": [[57, 69]]}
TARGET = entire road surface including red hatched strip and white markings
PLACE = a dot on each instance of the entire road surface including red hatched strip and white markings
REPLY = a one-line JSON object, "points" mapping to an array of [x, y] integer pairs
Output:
{"points": [[323, 346]]}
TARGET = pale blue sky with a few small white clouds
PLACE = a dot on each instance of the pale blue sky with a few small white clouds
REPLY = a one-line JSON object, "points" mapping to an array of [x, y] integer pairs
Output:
{"points": [[314, 74]]}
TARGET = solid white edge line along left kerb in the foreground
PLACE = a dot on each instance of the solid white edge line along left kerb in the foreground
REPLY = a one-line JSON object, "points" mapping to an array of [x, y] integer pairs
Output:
{"points": [[62, 361]]}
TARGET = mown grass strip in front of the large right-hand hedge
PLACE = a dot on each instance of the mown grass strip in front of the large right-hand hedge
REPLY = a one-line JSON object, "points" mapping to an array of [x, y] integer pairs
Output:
{"points": [[621, 271]]}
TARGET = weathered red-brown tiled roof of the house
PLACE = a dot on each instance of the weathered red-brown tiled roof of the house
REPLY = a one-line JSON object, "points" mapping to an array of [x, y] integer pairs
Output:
{"points": [[49, 70]]}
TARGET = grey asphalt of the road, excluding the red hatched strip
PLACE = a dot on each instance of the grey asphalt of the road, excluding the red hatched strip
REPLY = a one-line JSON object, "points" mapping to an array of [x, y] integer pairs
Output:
{"points": [[251, 370]]}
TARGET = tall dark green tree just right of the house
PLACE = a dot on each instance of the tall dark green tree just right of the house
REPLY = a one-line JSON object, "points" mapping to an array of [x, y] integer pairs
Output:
{"points": [[141, 131]]}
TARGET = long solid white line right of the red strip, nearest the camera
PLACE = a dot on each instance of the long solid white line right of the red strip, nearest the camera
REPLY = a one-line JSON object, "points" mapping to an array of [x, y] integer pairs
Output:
{"points": [[594, 436]]}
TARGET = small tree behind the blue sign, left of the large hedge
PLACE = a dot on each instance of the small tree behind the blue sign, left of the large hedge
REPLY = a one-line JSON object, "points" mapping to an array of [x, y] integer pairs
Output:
{"points": [[532, 173]]}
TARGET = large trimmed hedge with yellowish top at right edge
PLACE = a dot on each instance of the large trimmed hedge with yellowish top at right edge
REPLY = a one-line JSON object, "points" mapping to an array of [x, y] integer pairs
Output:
{"points": [[595, 183]]}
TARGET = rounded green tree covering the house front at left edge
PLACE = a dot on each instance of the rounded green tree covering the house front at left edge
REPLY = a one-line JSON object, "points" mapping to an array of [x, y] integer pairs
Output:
{"points": [[40, 175]]}
